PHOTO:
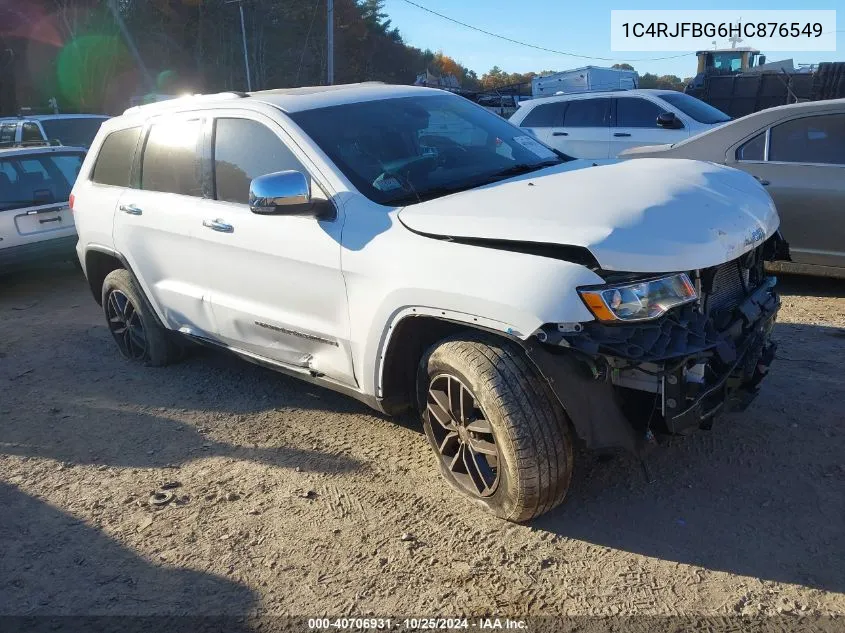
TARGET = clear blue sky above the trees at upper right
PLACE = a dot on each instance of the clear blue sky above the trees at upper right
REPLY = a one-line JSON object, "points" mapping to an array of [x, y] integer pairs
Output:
{"points": [[578, 26]]}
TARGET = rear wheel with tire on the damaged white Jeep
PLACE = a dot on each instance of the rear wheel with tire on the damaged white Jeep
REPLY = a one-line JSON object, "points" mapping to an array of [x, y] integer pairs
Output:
{"points": [[133, 325]]}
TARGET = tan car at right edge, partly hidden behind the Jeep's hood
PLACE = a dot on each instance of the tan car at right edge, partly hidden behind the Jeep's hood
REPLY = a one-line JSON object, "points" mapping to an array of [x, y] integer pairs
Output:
{"points": [[798, 153]]}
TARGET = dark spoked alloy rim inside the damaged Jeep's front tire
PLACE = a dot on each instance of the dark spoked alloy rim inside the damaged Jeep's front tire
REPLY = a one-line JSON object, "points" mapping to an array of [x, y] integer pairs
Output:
{"points": [[463, 436]]}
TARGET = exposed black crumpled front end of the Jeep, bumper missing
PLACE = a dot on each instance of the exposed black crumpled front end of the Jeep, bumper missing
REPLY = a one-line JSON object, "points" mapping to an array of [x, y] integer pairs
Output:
{"points": [[623, 382]]}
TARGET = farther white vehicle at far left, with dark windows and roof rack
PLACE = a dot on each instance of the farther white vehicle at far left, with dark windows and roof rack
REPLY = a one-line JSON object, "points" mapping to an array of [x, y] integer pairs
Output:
{"points": [[77, 130]]}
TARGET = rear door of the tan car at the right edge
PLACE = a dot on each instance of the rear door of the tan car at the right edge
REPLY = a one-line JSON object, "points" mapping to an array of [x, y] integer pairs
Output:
{"points": [[803, 167]]}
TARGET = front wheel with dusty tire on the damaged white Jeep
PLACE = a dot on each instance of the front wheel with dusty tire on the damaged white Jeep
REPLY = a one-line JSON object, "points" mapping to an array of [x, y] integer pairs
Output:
{"points": [[511, 404]]}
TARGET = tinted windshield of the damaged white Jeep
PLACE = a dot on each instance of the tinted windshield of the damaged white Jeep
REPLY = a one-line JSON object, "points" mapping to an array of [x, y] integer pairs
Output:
{"points": [[409, 149]]}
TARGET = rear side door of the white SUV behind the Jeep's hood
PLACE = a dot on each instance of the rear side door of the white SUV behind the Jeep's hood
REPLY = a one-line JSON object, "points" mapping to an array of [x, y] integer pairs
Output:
{"points": [[586, 127]]}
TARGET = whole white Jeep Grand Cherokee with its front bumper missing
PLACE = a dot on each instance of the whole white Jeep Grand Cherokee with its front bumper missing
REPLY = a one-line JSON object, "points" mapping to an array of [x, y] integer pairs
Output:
{"points": [[407, 247]]}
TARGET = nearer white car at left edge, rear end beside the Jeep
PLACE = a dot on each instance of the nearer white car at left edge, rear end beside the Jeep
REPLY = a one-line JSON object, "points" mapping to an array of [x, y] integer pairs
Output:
{"points": [[36, 224]]}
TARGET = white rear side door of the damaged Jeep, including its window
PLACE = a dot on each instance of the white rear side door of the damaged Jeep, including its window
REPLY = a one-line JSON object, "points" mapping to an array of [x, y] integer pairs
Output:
{"points": [[156, 224]]}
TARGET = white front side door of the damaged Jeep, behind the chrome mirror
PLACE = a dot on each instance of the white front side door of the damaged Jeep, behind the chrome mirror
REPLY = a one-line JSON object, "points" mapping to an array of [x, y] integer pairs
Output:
{"points": [[276, 284]]}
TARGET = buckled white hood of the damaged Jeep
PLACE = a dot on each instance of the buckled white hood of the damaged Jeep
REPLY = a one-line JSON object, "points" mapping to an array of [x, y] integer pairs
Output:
{"points": [[648, 215]]}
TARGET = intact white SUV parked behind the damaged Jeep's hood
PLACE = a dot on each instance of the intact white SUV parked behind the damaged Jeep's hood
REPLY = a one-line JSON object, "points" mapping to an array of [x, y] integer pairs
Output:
{"points": [[598, 125]]}
